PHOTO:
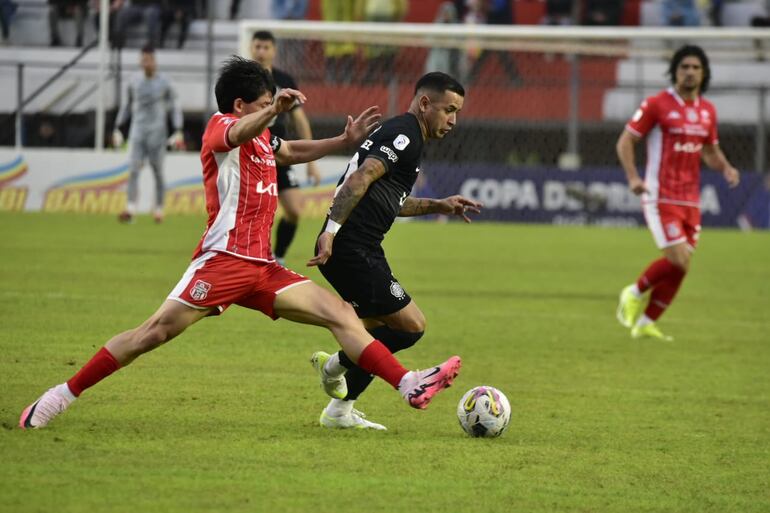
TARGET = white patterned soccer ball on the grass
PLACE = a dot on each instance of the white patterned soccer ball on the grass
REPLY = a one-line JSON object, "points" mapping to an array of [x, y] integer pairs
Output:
{"points": [[484, 412]]}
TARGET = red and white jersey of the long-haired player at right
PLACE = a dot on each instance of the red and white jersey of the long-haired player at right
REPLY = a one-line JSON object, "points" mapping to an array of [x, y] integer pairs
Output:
{"points": [[676, 131]]}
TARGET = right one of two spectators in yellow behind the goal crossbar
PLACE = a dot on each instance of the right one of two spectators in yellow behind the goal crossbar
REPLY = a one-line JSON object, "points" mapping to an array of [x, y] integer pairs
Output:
{"points": [[380, 59]]}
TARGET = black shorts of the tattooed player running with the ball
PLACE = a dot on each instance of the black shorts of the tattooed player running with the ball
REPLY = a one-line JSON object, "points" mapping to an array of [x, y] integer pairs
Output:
{"points": [[362, 277]]}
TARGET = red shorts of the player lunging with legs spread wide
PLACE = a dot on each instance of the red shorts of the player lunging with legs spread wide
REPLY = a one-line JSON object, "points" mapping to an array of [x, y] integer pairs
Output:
{"points": [[218, 280]]}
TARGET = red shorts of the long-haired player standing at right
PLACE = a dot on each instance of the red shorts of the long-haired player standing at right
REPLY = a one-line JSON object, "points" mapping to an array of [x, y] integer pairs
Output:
{"points": [[672, 224]]}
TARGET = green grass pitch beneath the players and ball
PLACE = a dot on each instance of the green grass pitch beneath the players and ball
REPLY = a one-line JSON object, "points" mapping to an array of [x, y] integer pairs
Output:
{"points": [[225, 417]]}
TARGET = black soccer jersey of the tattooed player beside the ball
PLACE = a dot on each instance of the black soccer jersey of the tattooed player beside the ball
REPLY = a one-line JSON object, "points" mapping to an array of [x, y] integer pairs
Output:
{"points": [[398, 144]]}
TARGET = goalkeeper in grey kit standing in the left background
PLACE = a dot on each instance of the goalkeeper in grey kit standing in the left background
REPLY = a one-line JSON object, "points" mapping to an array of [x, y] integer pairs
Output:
{"points": [[148, 99]]}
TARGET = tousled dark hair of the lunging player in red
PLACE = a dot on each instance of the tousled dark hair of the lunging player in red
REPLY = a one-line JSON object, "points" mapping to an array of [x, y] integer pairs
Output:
{"points": [[241, 78]]}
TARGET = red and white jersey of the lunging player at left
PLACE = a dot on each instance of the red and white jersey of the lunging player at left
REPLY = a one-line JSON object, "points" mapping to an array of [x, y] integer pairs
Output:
{"points": [[241, 192]]}
